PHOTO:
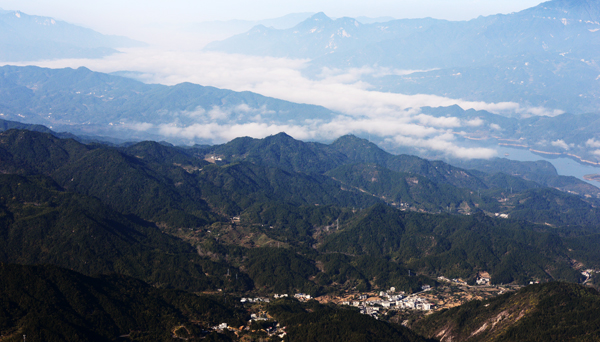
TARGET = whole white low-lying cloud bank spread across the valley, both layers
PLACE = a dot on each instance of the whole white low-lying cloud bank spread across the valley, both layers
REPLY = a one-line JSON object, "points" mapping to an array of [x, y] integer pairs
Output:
{"points": [[393, 117]]}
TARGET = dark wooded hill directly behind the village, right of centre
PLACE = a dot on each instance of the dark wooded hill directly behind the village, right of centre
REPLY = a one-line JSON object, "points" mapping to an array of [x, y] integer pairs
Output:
{"points": [[457, 246]]}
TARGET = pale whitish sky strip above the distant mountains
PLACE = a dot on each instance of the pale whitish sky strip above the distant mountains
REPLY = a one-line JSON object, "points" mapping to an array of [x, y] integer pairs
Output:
{"points": [[132, 17]]}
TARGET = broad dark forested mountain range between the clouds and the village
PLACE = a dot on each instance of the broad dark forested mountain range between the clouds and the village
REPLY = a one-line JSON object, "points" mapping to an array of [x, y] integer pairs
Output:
{"points": [[319, 216]]}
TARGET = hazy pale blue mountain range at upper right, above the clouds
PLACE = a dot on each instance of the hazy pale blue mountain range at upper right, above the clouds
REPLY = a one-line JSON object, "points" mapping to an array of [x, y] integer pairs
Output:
{"points": [[542, 56]]}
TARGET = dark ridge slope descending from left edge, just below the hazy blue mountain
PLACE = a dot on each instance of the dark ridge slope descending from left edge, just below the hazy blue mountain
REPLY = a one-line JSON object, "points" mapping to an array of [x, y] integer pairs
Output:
{"points": [[119, 180]]}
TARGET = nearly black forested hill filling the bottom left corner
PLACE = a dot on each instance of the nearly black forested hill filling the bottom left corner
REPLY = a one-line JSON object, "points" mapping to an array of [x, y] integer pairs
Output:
{"points": [[47, 303]]}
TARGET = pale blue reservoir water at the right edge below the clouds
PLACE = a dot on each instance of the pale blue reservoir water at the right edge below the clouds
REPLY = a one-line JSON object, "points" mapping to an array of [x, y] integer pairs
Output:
{"points": [[564, 166]]}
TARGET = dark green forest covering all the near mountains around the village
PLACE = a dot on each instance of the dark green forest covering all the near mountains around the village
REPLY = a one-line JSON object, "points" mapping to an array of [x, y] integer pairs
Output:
{"points": [[273, 215]]}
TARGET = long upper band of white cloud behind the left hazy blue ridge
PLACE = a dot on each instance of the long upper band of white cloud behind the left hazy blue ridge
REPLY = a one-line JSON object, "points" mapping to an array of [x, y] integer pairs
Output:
{"points": [[276, 77]]}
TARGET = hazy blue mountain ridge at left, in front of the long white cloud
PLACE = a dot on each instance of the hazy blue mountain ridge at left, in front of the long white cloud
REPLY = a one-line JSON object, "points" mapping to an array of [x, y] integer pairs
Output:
{"points": [[101, 104]]}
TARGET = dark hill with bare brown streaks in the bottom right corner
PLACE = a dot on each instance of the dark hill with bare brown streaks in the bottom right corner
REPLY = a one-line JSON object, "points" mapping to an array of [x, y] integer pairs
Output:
{"points": [[544, 312]]}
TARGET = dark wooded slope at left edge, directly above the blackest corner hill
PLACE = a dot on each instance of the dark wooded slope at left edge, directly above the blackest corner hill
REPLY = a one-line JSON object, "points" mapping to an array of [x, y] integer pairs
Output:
{"points": [[41, 223]]}
